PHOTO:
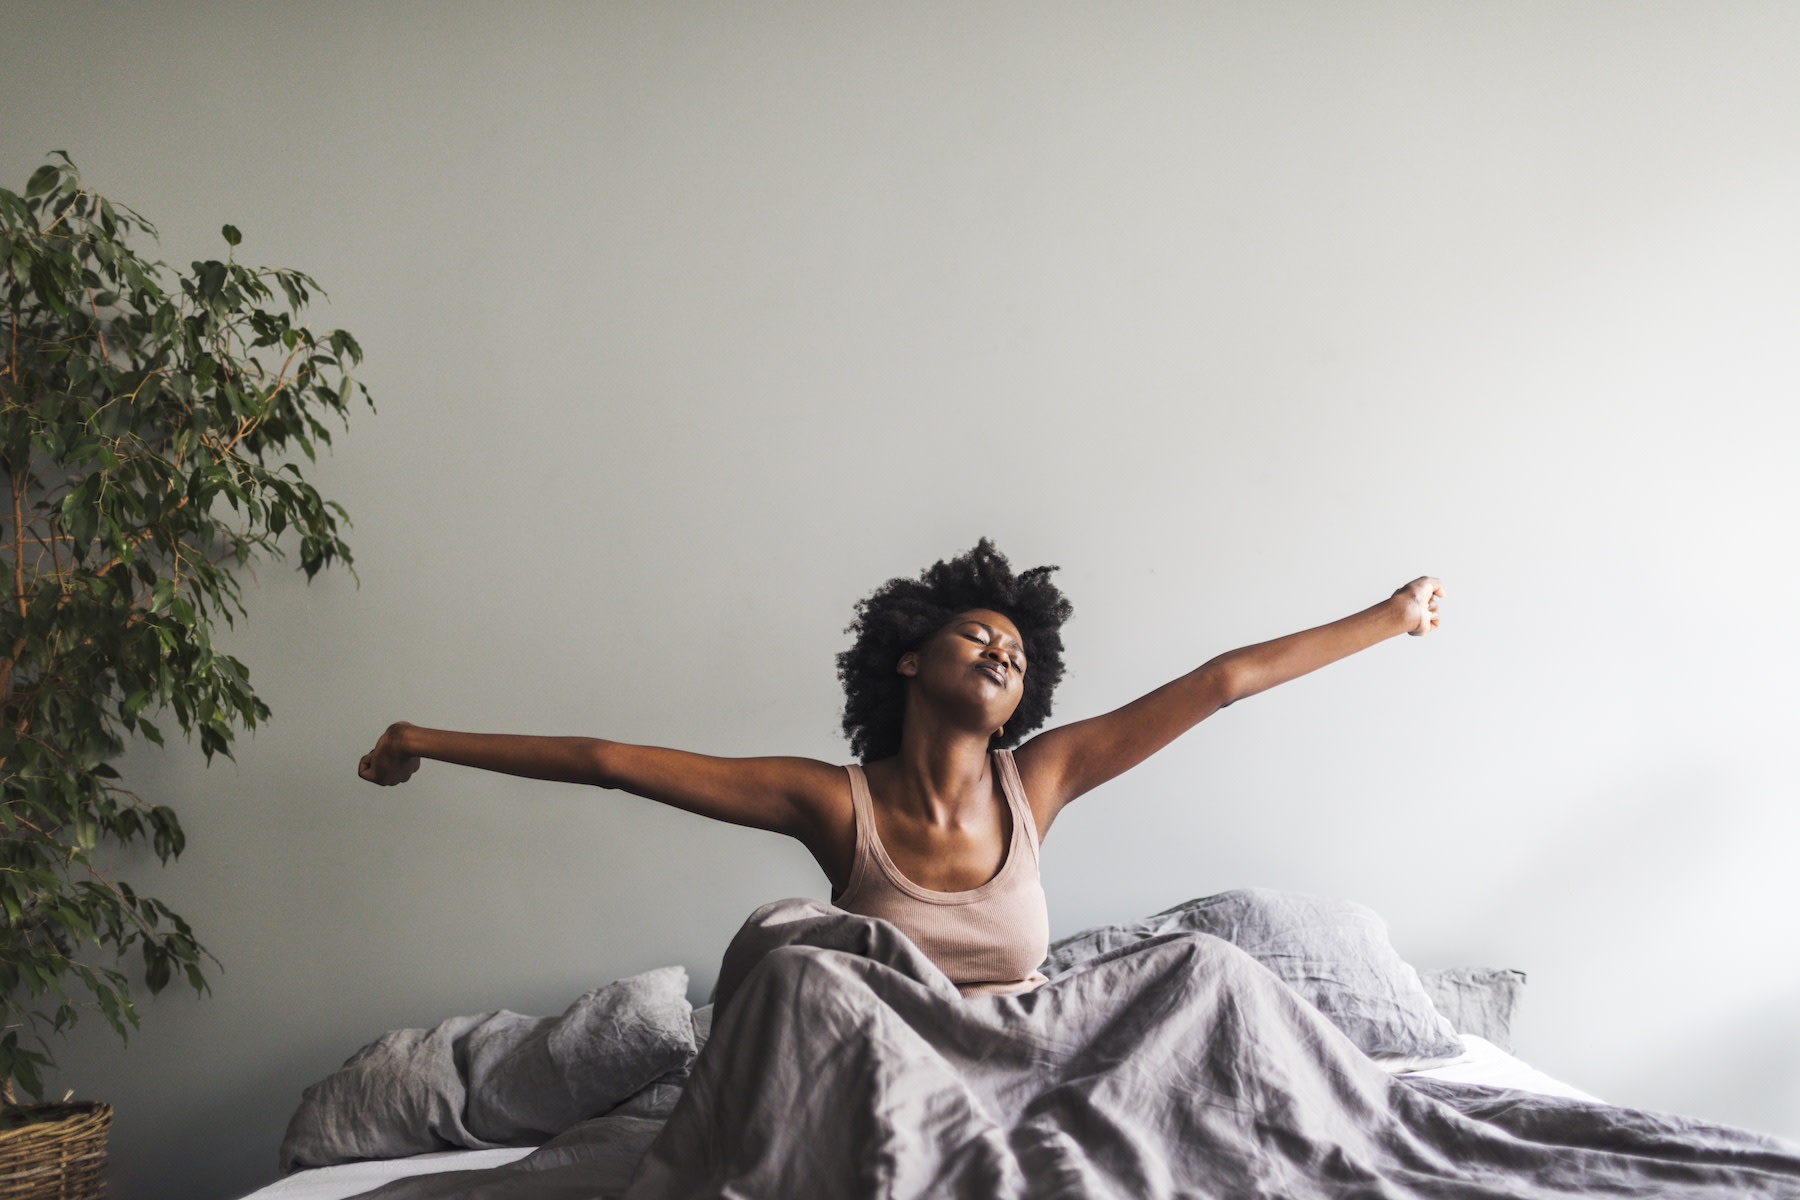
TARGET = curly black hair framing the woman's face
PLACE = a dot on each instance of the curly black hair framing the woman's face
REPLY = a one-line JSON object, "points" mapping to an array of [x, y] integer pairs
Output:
{"points": [[903, 614]]}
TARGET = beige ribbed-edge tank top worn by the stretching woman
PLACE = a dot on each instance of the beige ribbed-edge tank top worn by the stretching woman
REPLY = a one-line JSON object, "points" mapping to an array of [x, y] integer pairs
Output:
{"points": [[989, 940]]}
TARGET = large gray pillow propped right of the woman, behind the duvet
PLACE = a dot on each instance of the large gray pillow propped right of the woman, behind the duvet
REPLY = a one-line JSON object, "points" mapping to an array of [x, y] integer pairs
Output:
{"points": [[1333, 953]]}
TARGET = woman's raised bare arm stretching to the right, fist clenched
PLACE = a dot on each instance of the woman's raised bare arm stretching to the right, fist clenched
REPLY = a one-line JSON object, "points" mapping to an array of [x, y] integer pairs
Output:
{"points": [[1070, 760]]}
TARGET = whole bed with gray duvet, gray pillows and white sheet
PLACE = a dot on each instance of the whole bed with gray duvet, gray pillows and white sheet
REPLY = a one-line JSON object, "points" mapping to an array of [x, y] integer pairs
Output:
{"points": [[1245, 1044]]}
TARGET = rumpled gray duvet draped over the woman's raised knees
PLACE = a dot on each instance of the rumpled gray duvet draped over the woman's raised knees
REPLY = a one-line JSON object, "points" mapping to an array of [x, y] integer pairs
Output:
{"points": [[845, 1064]]}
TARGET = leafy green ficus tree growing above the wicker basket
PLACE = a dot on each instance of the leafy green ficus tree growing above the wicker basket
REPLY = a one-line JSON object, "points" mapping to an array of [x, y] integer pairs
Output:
{"points": [[148, 424]]}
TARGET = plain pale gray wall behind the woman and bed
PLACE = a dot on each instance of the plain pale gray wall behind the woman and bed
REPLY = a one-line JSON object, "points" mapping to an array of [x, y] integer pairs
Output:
{"points": [[690, 325]]}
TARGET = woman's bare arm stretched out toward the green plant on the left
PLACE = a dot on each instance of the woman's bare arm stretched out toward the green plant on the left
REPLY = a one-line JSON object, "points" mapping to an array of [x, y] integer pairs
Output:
{"points": [[789, 796]]}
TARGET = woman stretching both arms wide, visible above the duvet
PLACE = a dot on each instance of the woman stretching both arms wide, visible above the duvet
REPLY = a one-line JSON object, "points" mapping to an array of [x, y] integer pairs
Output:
{"points": [[937, 830]]}
